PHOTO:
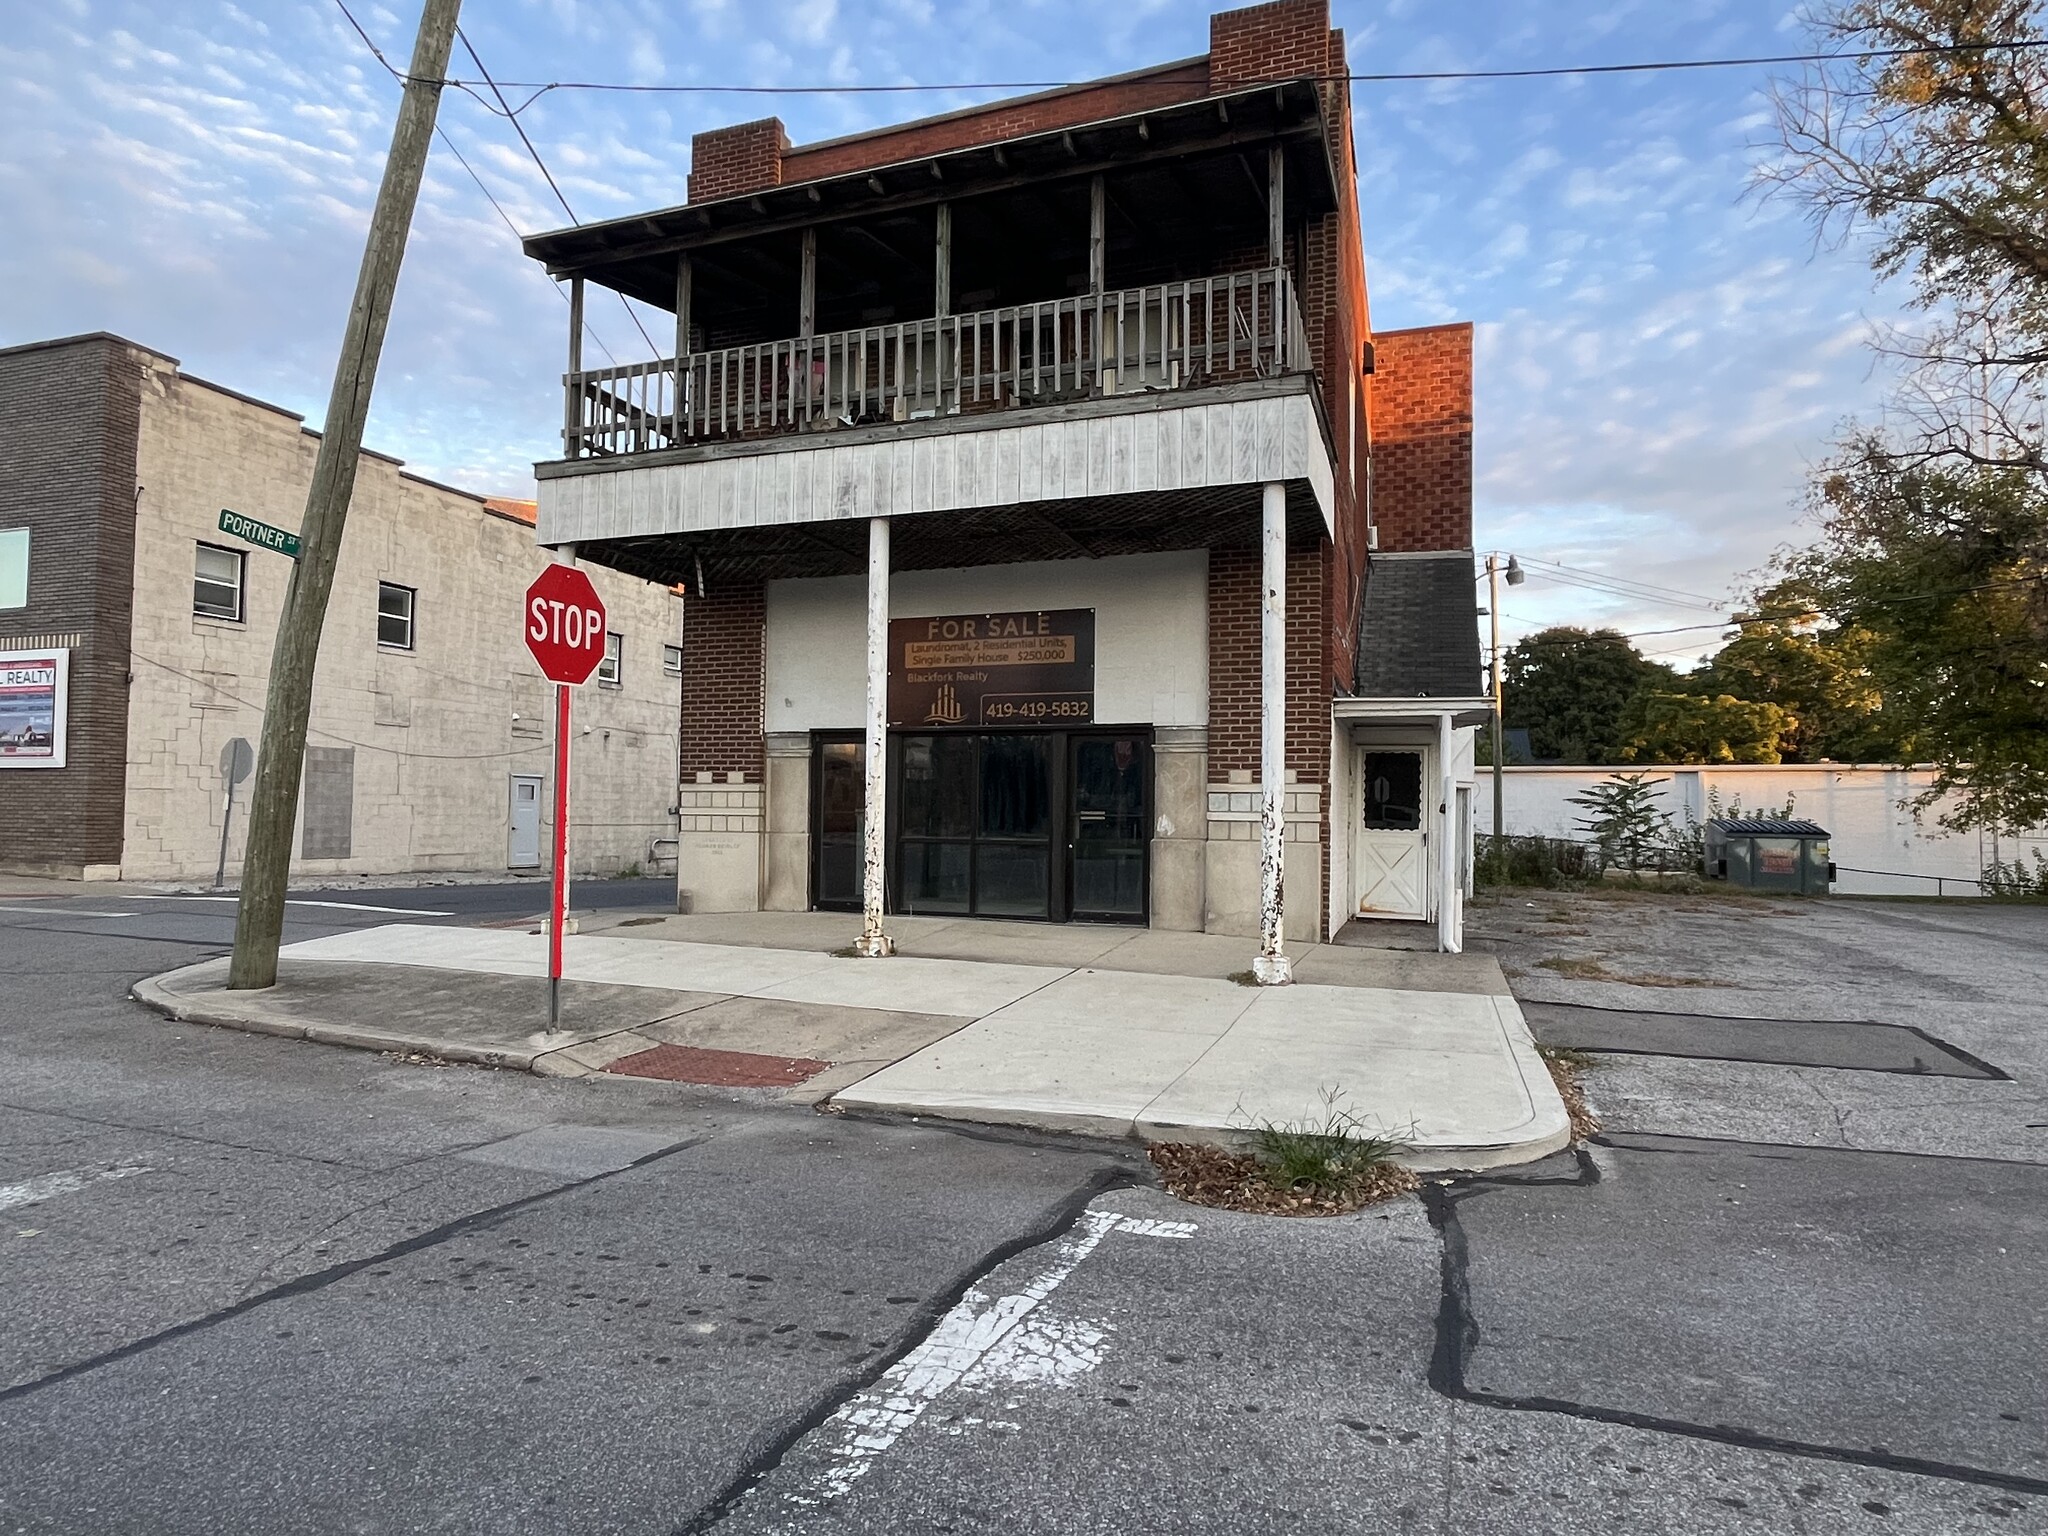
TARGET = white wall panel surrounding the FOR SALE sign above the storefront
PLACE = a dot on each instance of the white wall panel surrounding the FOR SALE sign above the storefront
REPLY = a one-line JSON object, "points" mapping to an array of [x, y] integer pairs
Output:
{"points": [[1152, 634]]}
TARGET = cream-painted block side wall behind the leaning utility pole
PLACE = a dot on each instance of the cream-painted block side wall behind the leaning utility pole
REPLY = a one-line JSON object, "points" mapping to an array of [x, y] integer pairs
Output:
{"points": [[437, 732]]}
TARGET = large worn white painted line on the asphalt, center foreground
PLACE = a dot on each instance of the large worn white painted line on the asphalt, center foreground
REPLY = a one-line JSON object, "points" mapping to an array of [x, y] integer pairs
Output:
{"points": [[982, 1342]]}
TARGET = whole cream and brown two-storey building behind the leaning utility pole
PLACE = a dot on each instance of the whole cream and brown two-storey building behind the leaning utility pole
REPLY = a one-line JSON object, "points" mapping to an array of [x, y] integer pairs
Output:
{"points": [[136, 646]]}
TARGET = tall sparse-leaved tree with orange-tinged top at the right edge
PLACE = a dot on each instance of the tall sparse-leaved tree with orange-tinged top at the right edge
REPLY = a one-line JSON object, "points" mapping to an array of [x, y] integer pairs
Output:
{"points": [[1928, 130]]}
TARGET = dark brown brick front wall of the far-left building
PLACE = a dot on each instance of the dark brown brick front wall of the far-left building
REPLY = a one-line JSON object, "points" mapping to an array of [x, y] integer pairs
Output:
{"points": [[69, 427]]}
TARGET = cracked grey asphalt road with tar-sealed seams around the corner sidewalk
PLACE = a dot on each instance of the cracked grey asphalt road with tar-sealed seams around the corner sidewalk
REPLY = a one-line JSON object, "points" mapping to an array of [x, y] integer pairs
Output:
{"points": [[253, 1285]]}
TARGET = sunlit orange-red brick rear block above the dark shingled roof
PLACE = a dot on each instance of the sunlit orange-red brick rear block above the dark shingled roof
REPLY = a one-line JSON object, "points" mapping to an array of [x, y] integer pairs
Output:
{"points": [[1422, 439]]}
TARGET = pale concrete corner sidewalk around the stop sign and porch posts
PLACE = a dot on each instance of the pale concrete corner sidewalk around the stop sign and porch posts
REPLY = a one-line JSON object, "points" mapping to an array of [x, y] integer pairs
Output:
{"points": [[1160, 1048]]}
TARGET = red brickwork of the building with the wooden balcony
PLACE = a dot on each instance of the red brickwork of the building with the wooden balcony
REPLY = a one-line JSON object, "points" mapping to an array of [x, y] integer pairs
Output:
{"points": [[1412, 419]]}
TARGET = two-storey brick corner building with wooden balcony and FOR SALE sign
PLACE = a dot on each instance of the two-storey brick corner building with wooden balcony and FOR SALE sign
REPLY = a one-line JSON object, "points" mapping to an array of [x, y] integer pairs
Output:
{"points": [[1037, 480]]}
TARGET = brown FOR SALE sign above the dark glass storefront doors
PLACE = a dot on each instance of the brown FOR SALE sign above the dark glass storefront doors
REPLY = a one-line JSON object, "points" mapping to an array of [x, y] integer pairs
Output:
{"points": [[994, 669]]}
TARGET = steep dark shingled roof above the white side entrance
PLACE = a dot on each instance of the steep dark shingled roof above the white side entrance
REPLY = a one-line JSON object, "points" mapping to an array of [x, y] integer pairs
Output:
{"points": [[1418, 636]]}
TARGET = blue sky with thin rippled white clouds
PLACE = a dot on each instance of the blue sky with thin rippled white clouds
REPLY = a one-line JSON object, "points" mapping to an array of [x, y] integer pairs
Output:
{"points": [[1662, 359]]}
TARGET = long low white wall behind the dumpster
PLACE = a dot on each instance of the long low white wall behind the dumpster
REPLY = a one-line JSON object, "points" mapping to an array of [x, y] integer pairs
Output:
{"points": [[1877, 843]]}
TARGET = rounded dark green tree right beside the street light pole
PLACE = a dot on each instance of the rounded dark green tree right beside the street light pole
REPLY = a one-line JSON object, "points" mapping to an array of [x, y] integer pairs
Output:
{"points": [[1572, 691]]}
